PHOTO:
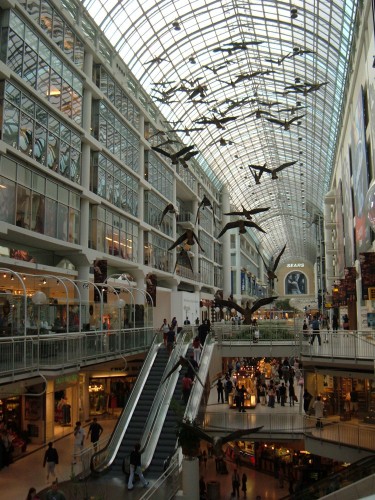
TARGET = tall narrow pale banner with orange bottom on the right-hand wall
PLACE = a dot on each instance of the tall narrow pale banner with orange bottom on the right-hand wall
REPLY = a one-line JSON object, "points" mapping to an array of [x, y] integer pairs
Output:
{"points": [[360, 177]]}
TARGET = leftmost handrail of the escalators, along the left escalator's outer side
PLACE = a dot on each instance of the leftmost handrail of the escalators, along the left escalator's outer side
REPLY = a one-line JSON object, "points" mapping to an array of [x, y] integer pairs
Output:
{"points": [[103, 458]]}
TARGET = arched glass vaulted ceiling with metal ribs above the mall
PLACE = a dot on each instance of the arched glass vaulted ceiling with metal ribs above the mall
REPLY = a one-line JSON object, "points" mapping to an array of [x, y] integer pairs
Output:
{"points": [[291, 66]]}
